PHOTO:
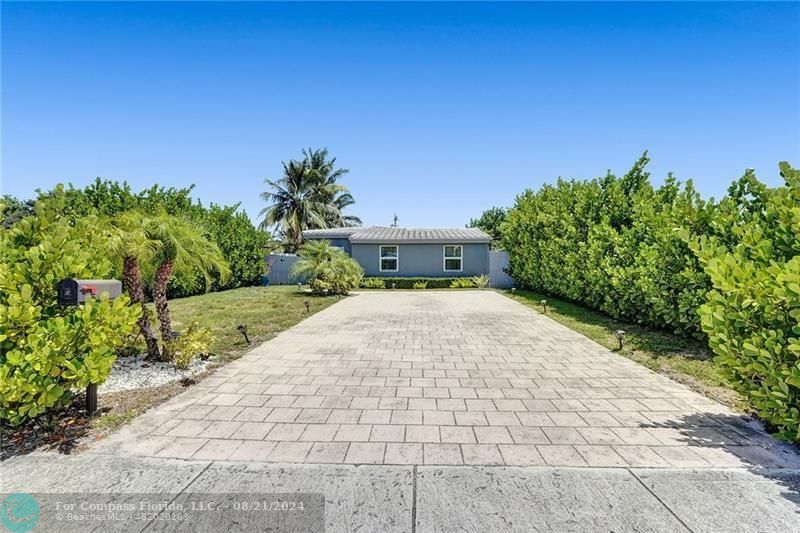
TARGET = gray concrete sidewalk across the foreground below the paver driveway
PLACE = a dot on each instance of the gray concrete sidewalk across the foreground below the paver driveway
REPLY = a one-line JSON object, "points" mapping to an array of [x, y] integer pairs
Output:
{"points": [[437, 498]]}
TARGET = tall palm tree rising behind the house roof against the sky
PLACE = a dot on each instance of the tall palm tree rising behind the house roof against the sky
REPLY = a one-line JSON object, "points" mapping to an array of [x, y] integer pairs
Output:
{"points": [[307, 196]]}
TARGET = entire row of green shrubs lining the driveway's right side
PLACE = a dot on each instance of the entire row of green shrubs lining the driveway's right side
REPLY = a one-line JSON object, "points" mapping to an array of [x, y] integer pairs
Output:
{"points": [[664, 257]]}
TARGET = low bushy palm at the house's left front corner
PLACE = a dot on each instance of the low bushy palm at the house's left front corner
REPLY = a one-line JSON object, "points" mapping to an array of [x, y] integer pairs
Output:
{"points": [[328, 269]]}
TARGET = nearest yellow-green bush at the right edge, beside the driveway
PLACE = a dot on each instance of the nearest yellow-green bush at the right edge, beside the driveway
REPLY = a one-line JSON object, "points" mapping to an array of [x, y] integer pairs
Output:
{"points": [[752, 316]]}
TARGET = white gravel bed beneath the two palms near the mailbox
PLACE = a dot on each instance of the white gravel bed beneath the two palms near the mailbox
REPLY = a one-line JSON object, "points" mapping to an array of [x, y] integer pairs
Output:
{"points": [[134, 372]]}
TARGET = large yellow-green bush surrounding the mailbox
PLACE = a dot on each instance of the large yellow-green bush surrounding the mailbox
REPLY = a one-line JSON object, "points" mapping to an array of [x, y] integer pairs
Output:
{"points": [[48, 352]]}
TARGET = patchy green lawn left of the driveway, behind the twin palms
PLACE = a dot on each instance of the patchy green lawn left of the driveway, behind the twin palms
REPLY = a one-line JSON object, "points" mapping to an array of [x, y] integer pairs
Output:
{"points": [[265, 310]]}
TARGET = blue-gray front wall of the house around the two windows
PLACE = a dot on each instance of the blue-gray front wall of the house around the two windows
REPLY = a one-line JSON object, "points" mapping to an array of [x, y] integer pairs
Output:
{"points": [[426, 260]]}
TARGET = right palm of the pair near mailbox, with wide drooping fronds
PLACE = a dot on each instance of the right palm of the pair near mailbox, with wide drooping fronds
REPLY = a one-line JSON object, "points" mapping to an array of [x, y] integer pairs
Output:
{"points": [[181, 246]]}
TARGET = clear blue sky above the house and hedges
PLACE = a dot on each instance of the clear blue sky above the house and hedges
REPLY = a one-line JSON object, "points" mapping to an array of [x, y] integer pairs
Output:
{"points": [[438, 110]]}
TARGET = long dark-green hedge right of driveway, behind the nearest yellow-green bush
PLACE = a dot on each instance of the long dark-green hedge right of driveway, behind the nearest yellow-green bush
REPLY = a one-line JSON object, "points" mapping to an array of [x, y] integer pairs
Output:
{"points": [[611, 244]]}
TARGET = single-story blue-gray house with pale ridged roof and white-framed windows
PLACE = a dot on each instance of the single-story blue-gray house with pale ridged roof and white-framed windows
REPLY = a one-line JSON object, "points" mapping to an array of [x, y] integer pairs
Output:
{"points": [[401, 252]]}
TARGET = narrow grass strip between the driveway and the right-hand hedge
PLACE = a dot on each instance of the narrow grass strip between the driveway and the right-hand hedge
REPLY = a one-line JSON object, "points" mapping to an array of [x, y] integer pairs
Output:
{"points": [[681, 358]]}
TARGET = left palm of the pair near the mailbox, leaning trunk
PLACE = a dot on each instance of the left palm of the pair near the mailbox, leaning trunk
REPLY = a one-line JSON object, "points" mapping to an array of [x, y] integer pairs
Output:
{"points": [[132, 245]]}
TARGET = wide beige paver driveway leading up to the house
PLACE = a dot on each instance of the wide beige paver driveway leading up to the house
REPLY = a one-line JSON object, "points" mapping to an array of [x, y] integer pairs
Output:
{"points": [[450, 377]]}
